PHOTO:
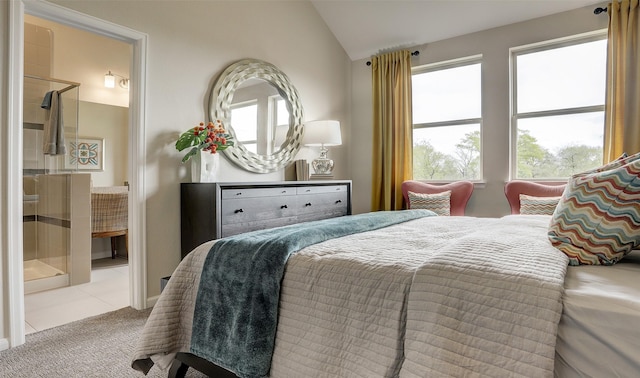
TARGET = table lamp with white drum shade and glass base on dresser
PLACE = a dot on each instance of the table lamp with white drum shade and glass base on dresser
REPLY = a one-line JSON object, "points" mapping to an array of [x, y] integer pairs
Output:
{"points": [[322, 133]]}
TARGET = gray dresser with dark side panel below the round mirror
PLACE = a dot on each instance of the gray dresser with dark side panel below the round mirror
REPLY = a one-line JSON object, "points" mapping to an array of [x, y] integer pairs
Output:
{"points": [[214, 210]]}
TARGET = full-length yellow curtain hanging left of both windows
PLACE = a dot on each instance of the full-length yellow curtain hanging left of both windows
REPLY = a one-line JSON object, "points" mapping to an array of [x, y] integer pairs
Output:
{"points": [[392, 129]]}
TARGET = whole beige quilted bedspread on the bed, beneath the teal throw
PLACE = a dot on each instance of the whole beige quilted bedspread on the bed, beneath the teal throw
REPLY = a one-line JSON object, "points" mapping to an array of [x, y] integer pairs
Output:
{"points": [[437, 296]]}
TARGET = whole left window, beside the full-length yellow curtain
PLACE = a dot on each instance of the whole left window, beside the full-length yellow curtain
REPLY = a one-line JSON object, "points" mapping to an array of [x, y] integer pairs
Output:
{"points": [[446, 120]]}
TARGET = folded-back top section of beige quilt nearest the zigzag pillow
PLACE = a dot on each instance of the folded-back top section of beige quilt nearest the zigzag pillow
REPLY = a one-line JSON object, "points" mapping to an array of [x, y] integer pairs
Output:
{"points": [[487, 304]]}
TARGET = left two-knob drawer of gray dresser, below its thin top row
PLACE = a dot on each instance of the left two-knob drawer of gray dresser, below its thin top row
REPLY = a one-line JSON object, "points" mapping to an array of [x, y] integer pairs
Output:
{"points": [[256, 209]]}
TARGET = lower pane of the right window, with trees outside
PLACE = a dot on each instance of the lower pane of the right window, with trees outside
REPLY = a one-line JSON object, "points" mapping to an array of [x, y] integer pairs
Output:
{"points": [[559, 146]]}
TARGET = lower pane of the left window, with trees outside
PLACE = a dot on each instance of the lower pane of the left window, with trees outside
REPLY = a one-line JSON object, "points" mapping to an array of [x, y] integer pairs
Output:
{"points": [[446, 153]]}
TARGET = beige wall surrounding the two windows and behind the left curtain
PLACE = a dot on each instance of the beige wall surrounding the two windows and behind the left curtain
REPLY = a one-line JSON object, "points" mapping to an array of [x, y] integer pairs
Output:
{"points": [[493, 45]]}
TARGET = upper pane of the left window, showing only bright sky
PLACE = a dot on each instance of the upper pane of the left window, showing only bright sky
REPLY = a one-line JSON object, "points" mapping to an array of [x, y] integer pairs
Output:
{"points": [[447, 94]]}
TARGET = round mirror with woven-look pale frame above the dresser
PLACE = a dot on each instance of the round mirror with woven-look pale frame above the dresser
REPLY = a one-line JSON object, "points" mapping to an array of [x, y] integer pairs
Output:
{"points": [[261, 109]]}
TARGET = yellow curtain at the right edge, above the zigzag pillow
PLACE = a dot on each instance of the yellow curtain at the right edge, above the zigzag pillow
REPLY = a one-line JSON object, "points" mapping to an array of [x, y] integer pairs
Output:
{"points": [[622, 104]]}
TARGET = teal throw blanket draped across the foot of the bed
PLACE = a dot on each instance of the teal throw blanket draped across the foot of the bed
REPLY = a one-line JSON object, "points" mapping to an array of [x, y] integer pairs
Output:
{"points": [[236, 311]]}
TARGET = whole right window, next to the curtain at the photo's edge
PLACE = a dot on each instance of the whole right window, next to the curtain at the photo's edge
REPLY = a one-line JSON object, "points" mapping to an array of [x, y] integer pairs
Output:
{"points": [[558, 108]]}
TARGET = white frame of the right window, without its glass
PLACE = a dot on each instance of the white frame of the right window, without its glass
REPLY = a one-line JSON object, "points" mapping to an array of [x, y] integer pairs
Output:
{"points": [[514, 52]]}
